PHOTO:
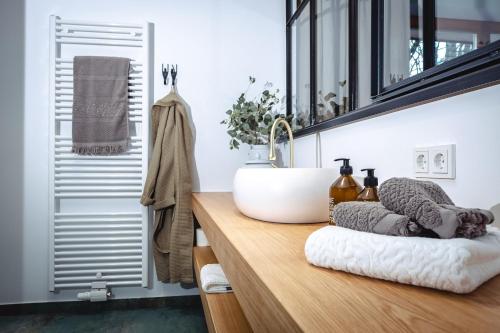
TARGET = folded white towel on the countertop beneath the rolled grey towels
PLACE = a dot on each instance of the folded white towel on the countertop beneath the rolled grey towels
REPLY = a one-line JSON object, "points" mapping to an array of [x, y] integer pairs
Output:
{"points": [[459, 265]]}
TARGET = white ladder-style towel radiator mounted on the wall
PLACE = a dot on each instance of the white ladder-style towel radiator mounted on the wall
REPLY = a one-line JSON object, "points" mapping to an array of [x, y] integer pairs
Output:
{"points": [[98, 229]]}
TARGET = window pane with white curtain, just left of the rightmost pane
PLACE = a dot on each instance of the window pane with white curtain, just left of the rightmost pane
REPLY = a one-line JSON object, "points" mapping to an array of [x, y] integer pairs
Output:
{"points": [[403, 35]]}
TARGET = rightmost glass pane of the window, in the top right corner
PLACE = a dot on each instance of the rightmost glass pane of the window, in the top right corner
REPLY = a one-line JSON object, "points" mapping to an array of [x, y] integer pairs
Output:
{"points": [[464, 25]]}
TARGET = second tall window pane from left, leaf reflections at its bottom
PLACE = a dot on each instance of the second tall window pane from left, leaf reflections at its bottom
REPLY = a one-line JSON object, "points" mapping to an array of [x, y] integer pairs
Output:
{"points": [[332, 58]]}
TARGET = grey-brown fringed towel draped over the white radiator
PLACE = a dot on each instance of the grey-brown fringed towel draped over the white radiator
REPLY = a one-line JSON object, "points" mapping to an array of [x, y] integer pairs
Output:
{"points": [[100, 105]]}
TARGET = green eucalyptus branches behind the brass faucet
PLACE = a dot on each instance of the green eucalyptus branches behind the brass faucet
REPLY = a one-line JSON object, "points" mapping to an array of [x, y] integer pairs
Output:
{"points": [[250, 120]]}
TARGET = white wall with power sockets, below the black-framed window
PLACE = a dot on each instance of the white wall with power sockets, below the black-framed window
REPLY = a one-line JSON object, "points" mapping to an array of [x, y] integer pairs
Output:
{"points": [[386, 143]]}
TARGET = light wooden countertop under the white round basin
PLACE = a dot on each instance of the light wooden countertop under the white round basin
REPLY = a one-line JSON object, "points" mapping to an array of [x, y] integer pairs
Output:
{"points": [[279, 291]]}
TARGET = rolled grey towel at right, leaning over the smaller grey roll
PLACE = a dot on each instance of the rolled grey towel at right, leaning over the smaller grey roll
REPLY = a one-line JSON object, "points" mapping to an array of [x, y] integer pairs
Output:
{"points": [[427, 204]]}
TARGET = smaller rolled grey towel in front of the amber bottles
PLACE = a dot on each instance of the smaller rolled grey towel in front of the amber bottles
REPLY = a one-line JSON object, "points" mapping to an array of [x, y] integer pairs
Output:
{"points": [[373, 217]]}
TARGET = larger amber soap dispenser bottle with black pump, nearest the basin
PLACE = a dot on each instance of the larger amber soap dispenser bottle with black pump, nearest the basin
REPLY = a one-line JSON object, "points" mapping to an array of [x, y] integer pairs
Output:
{"points": [[345, 188]]}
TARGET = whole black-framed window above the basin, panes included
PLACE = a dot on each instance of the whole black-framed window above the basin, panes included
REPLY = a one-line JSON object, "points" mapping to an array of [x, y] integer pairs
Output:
{"points": [[351, 59]]}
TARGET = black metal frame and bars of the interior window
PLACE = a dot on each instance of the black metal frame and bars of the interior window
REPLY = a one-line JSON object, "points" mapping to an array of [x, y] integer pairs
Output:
{"points": [[474, 70]]}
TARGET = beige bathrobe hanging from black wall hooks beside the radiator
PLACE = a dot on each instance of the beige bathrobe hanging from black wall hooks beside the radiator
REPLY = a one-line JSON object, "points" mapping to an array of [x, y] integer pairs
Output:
{"points": [[168, 189]]}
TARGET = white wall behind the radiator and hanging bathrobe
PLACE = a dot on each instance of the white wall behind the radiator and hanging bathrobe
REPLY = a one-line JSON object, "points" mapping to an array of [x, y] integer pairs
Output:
{"points": [[216, 45]]}
